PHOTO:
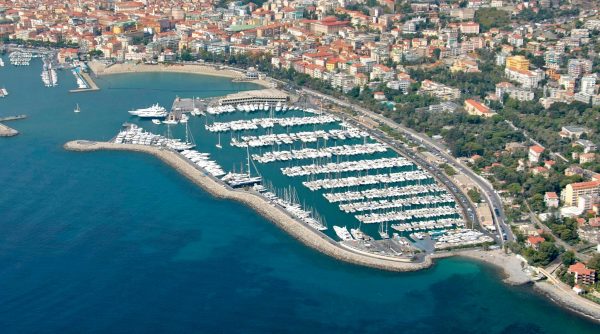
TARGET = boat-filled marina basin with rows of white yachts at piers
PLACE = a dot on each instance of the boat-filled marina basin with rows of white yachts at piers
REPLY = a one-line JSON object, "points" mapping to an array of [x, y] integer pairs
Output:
{"points": [[354, 177]]}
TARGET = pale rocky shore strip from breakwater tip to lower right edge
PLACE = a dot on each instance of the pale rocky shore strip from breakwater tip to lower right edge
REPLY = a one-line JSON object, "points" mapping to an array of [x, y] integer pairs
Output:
{"points": [[510, 265]]}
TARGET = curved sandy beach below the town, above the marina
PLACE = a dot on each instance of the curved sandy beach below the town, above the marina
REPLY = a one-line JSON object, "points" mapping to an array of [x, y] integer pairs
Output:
{"points": [[100, 69]]}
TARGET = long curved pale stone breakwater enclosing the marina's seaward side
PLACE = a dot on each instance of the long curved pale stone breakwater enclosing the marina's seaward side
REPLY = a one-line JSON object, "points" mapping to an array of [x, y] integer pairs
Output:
{"points": [[304, 234]]}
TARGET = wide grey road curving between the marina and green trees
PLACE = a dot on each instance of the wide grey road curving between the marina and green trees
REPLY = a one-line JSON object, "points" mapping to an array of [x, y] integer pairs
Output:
{"points": [[436, 148]]}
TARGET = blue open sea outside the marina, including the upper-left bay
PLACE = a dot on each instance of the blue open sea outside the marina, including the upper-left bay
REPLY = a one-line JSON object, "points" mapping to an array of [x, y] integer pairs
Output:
{"points": [[118, 242]]}
